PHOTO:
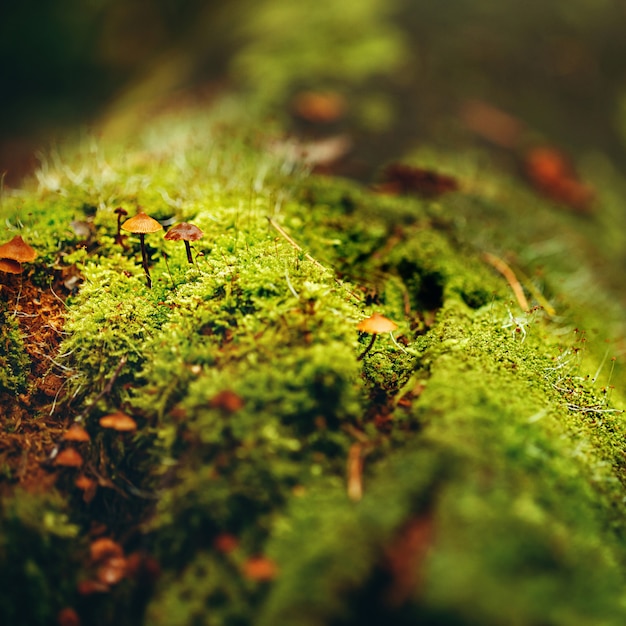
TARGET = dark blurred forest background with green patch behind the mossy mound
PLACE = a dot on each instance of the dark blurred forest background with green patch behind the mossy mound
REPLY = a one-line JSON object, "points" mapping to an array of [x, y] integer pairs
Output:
{"points": [[405, 69]]}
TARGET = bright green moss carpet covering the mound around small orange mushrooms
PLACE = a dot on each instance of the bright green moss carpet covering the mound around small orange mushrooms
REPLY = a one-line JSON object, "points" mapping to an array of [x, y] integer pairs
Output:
{"points": [[468, 469]]}
